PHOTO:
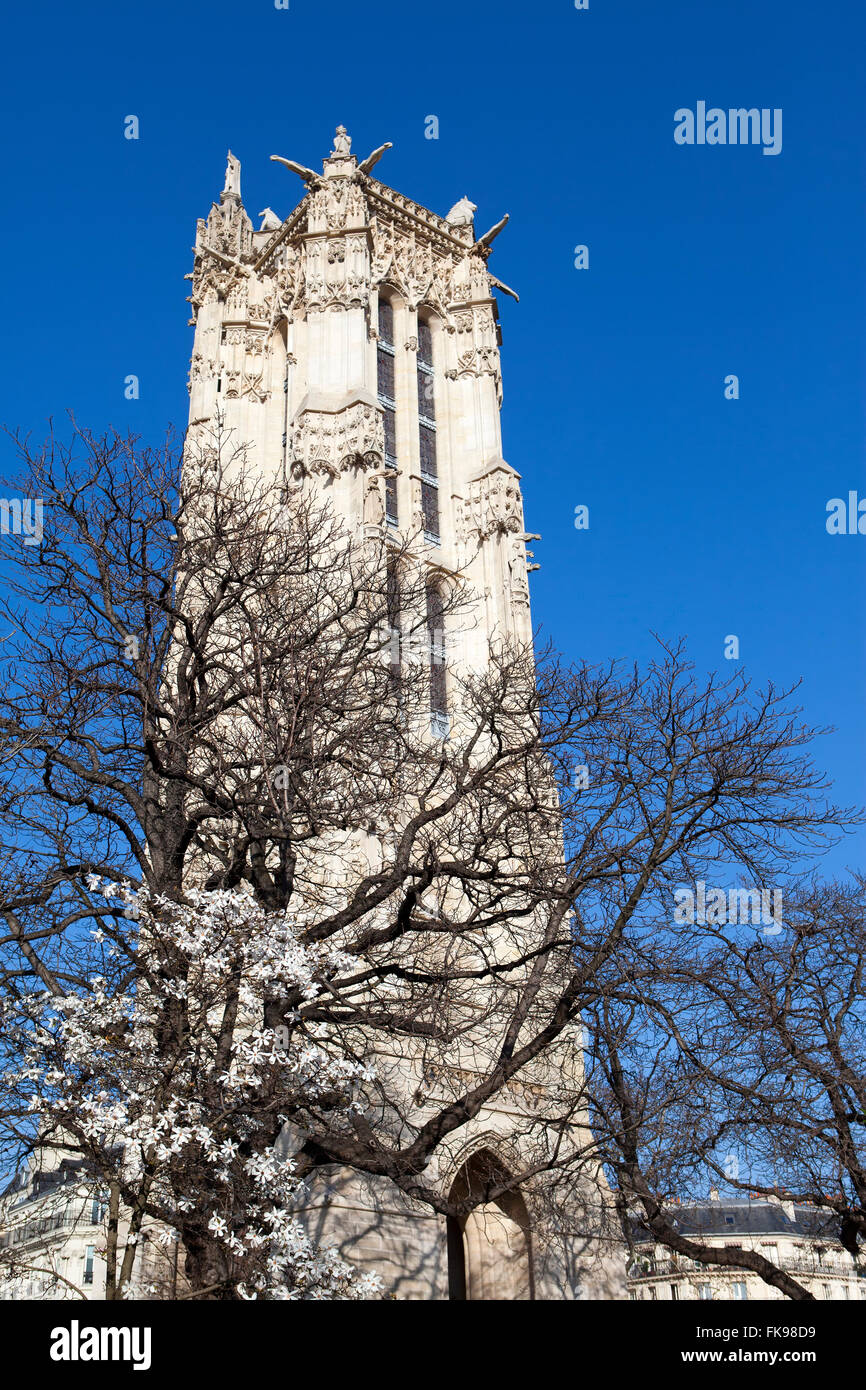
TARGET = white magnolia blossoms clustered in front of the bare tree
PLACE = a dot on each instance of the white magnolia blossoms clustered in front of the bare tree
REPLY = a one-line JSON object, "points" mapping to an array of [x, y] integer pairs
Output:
{"points": [[92, 1064]]}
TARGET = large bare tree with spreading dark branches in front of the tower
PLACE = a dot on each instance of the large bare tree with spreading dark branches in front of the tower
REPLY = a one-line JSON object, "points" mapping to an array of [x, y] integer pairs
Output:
{"points": [[209, 683]]}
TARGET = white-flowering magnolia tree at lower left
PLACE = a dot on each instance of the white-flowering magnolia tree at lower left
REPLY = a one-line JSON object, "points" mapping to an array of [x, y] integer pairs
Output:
{"points": [[159, 1072]]}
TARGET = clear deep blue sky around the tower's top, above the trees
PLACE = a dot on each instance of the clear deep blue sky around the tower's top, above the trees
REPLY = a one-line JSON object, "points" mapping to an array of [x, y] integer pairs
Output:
{"points": [[707, 515]]}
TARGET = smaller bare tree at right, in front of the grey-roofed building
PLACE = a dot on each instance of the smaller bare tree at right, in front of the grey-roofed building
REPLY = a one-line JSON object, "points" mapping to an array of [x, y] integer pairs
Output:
{"points": [[733, 1053]]}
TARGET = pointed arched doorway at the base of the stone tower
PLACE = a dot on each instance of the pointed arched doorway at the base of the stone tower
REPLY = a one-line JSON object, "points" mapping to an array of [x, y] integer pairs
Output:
{"points": [[490, 1250]]}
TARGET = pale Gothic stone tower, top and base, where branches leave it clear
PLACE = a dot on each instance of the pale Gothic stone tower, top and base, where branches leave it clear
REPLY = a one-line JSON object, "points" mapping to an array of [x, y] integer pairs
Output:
{"points": [[355, 347]]}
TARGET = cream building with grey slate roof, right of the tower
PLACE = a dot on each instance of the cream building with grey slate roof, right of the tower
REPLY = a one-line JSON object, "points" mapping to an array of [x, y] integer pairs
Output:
{"points": [[793, 1236]]}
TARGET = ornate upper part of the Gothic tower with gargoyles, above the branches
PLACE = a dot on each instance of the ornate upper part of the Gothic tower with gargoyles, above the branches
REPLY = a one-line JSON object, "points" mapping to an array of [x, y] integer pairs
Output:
{"points": [[357, 345]]}
